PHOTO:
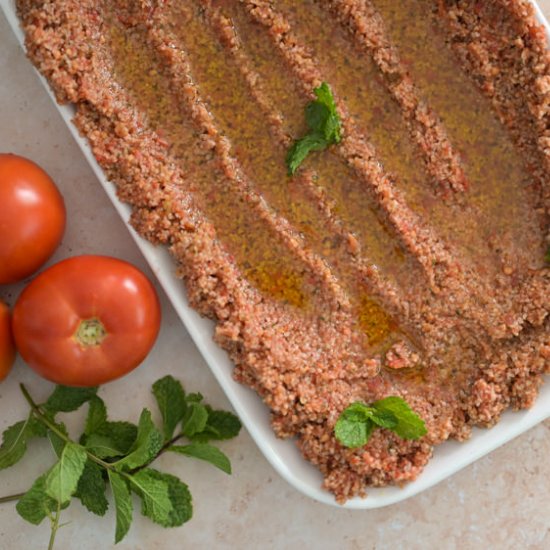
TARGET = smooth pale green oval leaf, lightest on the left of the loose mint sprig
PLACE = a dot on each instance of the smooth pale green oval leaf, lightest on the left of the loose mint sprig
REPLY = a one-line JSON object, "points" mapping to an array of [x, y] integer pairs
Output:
{"points": [[62, 479]]}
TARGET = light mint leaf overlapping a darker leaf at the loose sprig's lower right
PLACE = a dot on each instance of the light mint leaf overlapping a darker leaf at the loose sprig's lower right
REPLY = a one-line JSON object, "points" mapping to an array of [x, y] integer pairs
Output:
{"points": [[155, 497]]}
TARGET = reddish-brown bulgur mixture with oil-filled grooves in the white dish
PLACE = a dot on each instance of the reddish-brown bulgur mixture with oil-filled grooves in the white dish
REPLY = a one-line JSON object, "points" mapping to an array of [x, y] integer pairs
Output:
{"points": [[408, 260]]}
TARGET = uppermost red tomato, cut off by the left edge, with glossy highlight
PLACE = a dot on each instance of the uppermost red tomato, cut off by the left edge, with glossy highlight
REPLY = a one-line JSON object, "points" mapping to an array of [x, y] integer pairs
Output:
{"points": [[32, 218]]}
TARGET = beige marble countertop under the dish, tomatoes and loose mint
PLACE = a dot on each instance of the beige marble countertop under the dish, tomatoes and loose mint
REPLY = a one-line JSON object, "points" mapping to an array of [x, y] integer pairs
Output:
{"points": [[501, 501]]}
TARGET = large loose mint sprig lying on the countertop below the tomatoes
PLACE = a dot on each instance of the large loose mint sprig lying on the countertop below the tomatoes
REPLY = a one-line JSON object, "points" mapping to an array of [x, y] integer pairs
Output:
{"points": [[118, 454]]}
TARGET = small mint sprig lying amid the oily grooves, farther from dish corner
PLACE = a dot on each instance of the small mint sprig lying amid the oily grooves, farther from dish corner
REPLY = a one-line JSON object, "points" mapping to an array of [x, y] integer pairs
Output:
{"points": [[324, 126]]}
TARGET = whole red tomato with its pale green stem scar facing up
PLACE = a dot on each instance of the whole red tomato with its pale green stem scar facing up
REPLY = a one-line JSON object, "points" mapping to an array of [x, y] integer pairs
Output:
{"points": [[86, 320]]}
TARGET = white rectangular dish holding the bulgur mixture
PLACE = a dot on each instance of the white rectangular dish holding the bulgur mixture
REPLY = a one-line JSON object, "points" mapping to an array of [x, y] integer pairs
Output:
{"points": [[283, 454]]}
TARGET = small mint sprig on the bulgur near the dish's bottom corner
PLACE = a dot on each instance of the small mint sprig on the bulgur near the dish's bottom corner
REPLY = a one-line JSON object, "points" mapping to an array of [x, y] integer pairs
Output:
{"points": [[357, 421]]}
